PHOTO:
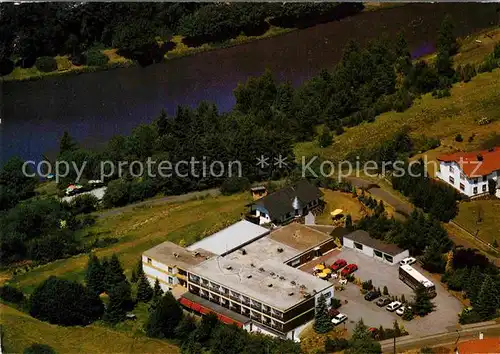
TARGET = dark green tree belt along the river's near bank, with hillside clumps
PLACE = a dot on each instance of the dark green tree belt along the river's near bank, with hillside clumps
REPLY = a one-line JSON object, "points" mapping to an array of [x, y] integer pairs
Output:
{"points": [[268, 119]]}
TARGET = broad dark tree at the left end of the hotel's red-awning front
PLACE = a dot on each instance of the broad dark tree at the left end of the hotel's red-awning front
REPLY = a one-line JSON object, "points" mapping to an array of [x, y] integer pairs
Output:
{"points": [[164, 318]]}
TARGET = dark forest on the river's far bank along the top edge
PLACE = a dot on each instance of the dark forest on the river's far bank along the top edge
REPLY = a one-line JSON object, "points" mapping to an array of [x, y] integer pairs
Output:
{"points": [[140, 31]]}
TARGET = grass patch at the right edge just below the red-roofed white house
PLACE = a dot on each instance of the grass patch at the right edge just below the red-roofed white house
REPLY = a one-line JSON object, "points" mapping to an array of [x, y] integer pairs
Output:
{"points": [[489, 211]]}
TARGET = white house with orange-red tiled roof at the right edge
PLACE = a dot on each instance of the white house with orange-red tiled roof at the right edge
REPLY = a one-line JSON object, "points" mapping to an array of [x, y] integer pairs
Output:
{"points": [[469, 172]]}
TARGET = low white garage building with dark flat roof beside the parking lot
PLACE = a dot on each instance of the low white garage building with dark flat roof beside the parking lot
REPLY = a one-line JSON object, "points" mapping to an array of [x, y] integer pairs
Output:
{"points": [[361, 241]]}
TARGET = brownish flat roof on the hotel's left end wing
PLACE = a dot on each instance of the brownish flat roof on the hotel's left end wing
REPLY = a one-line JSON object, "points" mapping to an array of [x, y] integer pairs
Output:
{"points": [[173, 255]]}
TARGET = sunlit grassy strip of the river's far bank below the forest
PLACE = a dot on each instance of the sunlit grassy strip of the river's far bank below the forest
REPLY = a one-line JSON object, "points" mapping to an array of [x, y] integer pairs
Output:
{"points": [[180, 50]]}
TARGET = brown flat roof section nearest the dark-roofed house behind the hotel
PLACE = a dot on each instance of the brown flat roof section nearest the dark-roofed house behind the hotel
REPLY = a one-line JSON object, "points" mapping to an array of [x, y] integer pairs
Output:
{"points": [[299, 236]]}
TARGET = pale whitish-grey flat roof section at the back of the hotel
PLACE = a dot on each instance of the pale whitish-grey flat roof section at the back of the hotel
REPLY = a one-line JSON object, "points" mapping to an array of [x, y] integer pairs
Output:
{"points": [[231, 238]]}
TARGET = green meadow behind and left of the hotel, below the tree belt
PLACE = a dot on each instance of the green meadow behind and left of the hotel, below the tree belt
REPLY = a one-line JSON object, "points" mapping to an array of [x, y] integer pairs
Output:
{"points": [[143, 227]]}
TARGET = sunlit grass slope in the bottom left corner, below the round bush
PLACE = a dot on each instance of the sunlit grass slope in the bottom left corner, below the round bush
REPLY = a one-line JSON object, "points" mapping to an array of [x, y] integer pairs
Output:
{"points": [[21, 330]]}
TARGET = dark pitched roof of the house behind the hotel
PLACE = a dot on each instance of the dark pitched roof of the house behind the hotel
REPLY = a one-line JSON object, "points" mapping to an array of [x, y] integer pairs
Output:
{"points": [[281, 202]]}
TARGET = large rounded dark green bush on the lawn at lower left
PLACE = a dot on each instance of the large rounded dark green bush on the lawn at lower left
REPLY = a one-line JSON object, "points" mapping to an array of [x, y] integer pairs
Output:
{"points": [[64, 302]]}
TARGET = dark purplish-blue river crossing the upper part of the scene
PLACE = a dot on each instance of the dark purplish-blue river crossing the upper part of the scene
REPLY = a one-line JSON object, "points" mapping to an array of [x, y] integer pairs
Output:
{"points": [[93, 107]]}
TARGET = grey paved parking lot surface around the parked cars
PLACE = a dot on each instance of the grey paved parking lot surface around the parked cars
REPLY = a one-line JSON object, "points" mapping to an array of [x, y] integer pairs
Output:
{"points": [[443, 319]]}
